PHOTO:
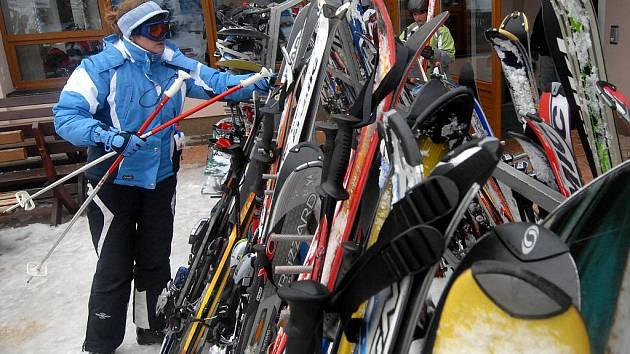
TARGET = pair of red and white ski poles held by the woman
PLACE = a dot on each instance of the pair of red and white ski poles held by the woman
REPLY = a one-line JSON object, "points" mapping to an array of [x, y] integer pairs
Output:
{"points": [[38, 269]]}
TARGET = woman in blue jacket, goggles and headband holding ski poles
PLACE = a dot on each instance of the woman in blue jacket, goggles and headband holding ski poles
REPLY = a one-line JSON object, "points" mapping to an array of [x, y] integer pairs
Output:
{"points": [[106, 99]]}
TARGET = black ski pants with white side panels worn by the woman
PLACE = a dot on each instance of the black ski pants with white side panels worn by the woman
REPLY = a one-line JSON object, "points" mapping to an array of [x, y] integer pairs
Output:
{"points": [[131, 229]]}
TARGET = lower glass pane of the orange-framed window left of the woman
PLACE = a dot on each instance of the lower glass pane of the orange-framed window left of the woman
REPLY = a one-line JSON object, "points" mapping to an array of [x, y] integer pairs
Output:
{"points": [[52, 60]]}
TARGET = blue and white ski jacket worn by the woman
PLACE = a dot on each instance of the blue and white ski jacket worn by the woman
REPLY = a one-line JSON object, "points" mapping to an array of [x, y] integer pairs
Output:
{"points": [[120, 87]]}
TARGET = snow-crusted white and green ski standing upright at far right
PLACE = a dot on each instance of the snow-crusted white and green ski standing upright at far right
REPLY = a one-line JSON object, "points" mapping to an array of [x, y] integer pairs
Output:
{"points": [[577, 52]]}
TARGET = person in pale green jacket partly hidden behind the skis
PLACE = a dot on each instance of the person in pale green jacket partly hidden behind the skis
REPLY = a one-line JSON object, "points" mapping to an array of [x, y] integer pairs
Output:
{"points": [[442, 45]]}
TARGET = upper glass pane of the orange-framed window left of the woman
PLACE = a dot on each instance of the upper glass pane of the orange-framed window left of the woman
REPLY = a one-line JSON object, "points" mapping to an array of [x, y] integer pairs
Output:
{"points": [[43, 16]]}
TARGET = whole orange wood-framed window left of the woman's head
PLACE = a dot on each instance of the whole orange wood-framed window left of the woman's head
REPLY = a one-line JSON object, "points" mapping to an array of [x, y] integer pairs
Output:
{"points": [[45, 40]]}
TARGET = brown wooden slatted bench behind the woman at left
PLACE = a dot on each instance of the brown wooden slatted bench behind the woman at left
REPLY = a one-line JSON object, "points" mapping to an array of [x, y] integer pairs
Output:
{"points": [[32, 156]]}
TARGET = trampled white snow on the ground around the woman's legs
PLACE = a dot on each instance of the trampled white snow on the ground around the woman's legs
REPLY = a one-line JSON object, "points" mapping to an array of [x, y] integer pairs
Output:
{"points": [[49, 314]]}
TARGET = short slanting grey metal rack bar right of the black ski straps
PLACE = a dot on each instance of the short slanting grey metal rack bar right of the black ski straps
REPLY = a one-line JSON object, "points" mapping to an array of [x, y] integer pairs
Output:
{"points": [[527, 186]]}
